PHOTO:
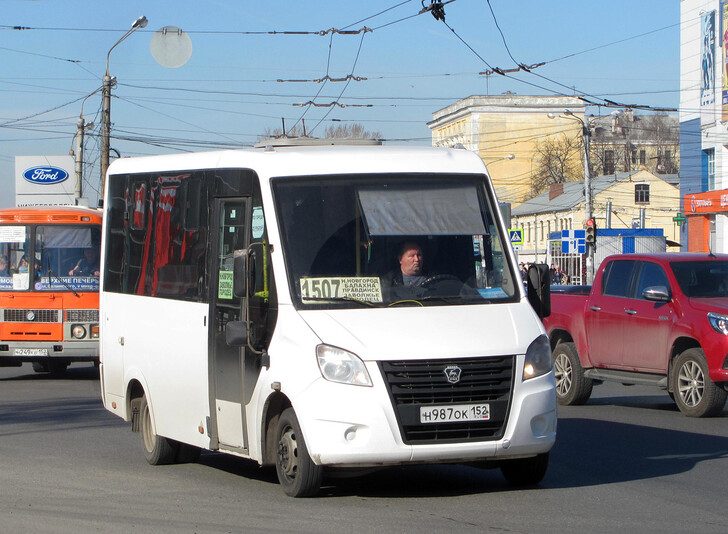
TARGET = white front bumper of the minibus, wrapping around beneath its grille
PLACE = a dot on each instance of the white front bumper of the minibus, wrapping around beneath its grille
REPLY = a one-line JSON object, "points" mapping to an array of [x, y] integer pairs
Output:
{"points": [[364, 431]]}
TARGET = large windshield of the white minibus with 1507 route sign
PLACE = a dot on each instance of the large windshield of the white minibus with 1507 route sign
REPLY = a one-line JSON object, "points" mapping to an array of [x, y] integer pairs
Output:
{"points": [[392, 239]]}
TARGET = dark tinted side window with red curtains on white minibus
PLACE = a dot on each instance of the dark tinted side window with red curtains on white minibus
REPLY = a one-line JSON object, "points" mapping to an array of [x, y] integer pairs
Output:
{"points": [[157, 243]]}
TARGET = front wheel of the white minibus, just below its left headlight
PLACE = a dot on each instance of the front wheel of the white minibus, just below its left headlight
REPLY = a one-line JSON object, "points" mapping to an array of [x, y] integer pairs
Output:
{"points": [[297, 474]]}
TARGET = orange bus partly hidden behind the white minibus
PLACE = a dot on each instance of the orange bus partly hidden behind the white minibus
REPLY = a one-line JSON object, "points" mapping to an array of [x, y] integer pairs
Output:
{"points": [[49, 287]]}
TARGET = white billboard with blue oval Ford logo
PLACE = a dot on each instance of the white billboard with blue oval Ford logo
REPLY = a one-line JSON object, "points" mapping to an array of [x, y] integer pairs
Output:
{"points": [[44, 181]]}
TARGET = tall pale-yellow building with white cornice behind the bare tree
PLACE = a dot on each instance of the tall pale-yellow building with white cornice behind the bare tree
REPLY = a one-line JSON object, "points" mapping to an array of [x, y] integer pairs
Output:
{"points": [[505, 131]]}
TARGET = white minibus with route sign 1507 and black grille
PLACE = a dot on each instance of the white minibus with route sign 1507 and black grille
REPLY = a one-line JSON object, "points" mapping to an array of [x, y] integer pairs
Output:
{"points": [[246, 308]]}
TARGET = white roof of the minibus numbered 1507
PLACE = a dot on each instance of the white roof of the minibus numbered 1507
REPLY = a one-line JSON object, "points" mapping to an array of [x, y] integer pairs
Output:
{"points": [[298, 160]]}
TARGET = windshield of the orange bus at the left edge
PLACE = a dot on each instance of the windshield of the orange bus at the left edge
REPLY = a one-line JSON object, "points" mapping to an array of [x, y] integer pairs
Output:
{"points": [[62, 257]]}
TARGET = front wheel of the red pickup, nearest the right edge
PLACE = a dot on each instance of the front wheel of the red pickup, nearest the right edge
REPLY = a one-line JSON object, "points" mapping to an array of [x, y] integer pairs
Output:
{"points": [[696, 395]]}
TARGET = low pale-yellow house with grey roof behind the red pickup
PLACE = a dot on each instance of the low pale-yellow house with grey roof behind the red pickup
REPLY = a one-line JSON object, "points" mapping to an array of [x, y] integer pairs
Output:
{"points": [[638, 199]]}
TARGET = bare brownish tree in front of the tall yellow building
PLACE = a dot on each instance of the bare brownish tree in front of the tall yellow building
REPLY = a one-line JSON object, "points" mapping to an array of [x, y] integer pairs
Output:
{"points": [[558, 160]]}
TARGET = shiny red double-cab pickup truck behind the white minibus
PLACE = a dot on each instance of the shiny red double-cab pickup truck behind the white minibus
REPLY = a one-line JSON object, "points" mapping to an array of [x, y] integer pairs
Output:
{"points": [[659, 319]]}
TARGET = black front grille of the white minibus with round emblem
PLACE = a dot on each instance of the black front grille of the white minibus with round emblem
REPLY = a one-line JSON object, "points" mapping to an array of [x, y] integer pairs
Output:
{"points": [[416, 383]]}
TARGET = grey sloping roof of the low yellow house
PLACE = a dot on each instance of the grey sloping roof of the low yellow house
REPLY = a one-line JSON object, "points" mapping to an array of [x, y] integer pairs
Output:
{"points": [[573, 194]]}
